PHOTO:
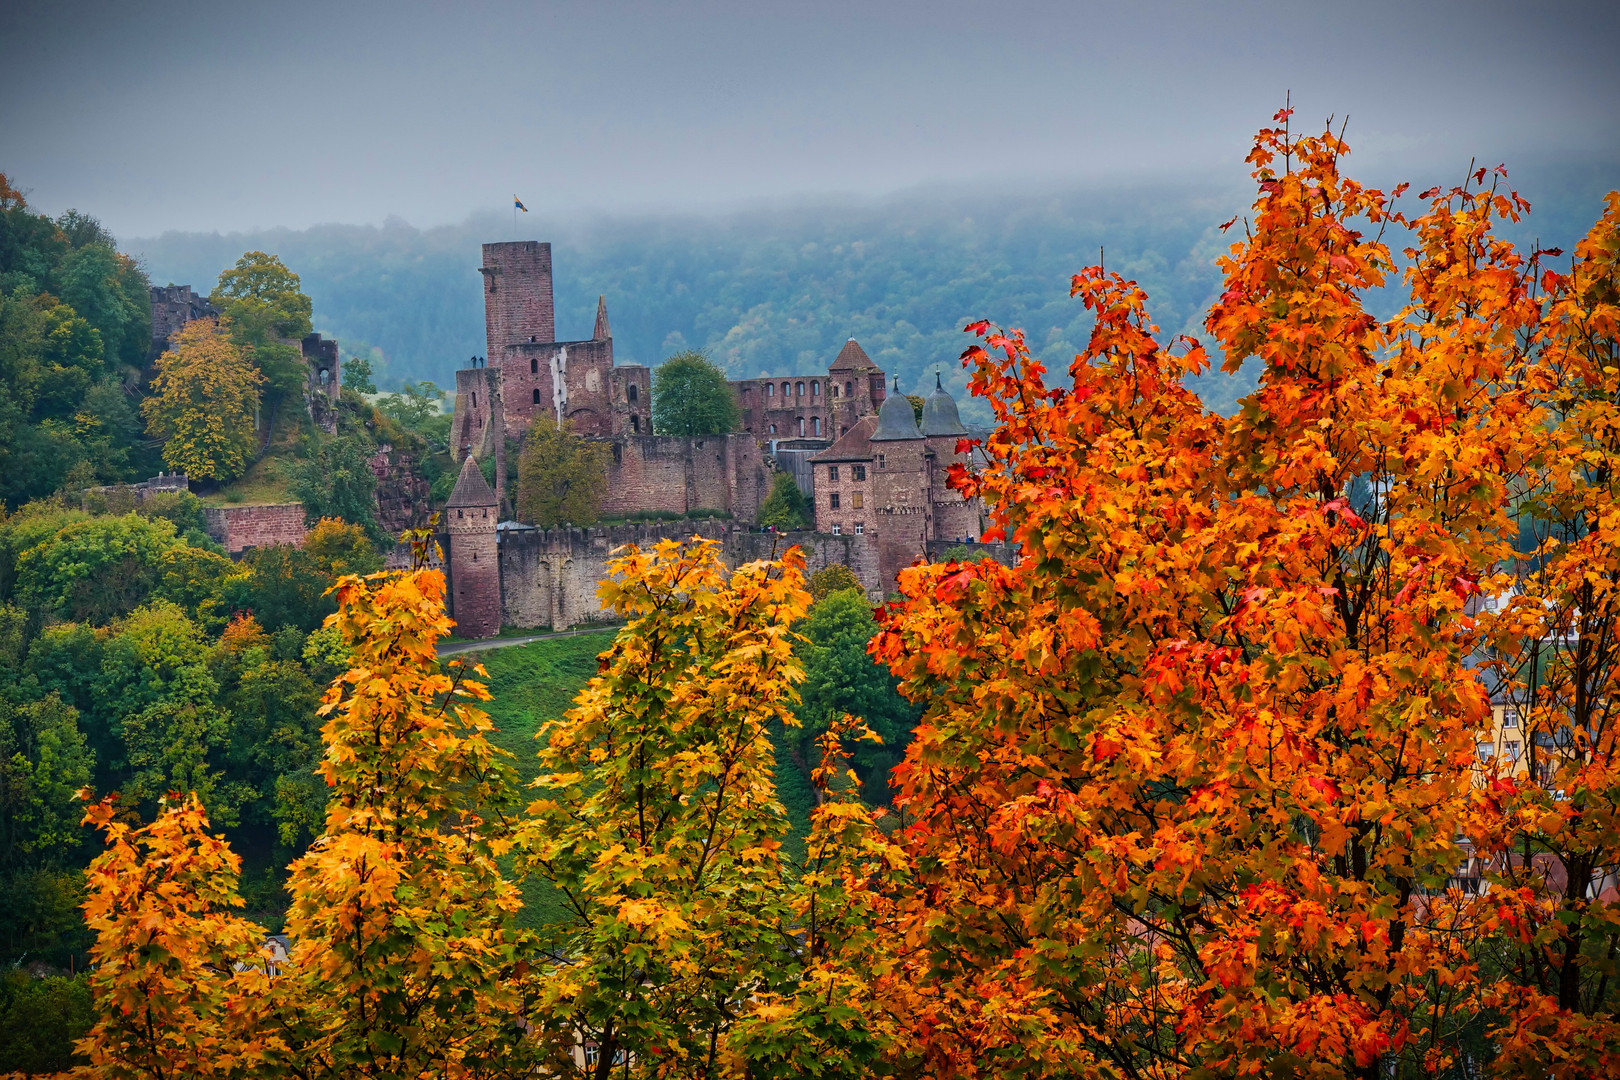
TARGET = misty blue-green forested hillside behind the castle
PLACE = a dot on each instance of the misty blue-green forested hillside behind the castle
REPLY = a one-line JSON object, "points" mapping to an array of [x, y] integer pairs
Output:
{"points": [[777, 289]]}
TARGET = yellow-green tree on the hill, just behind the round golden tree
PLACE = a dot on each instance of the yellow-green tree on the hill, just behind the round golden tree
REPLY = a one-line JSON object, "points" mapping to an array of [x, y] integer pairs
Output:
{"points": [[266, 313]]}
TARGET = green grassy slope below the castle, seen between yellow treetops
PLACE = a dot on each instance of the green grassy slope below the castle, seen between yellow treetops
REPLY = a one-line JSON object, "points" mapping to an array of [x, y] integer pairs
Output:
{"points": [[537, 682]]}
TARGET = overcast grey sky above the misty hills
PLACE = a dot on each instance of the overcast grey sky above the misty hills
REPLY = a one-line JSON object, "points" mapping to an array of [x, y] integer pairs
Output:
{"points": [[231, 116]]}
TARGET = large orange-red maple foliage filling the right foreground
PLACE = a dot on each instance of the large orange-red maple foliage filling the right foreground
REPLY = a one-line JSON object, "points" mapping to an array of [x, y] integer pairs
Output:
{"points": [[1200, 783]]}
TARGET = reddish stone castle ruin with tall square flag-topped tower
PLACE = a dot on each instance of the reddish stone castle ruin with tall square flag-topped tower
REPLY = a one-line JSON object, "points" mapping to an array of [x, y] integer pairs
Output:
{"points": [[876, 478]]}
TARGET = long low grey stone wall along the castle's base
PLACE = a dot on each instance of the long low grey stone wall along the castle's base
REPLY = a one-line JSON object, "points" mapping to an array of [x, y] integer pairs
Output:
{"points": [[550, 577]]}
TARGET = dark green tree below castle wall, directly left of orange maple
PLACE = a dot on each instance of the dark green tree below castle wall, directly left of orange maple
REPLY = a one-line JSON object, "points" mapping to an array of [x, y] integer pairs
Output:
{"points": [[842, 678]]}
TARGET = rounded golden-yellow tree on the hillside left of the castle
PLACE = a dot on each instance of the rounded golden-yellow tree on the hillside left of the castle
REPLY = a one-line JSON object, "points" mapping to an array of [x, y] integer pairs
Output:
{"points": [[203, 402]]}
